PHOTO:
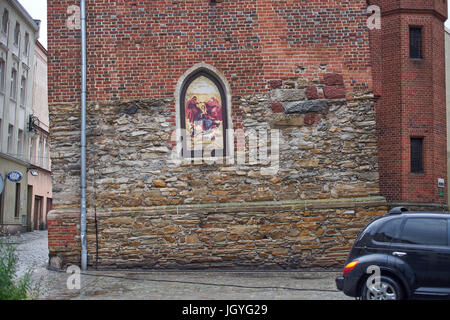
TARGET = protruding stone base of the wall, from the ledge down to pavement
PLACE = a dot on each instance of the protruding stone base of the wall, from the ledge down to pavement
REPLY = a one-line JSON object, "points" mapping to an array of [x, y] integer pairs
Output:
{"points": [[260, 235]]}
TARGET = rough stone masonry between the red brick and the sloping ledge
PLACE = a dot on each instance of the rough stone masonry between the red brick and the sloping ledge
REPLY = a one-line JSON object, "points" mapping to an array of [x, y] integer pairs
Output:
{"points": [[327, 150]]}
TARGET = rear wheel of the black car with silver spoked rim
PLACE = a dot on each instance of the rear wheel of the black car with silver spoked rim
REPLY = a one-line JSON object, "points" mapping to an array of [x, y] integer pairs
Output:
{"points": [[388, 289]]}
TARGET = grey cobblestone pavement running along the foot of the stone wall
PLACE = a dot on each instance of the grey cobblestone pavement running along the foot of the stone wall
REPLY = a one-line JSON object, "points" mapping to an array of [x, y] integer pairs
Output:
{"points": [[155, 285]]}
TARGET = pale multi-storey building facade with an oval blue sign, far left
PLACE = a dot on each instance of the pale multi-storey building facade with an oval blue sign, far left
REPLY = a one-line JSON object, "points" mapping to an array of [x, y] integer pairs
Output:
{"points": [[18, 35]]}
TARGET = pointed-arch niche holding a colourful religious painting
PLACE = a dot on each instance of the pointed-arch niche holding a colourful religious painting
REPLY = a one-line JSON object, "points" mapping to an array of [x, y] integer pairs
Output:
{"points": [[203, 108]]}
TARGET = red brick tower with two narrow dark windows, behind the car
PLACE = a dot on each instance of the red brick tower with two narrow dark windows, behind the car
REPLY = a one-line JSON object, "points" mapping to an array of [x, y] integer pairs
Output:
{"points": [[409, 79]]}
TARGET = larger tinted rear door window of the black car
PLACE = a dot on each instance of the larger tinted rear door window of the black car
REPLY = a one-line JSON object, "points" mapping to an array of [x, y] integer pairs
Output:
{"points": [[422, 231]]}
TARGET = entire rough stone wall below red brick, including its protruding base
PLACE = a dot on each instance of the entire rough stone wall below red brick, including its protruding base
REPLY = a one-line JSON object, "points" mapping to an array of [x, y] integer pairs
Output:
{"points": [[158, 214]]}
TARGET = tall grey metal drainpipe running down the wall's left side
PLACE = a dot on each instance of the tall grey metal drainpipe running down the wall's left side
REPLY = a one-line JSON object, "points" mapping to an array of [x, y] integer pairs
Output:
{"points": [[83, 137]]}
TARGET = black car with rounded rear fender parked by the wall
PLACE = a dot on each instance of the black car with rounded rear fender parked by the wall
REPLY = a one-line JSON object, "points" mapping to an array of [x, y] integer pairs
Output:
{"points": [[401, 255]]}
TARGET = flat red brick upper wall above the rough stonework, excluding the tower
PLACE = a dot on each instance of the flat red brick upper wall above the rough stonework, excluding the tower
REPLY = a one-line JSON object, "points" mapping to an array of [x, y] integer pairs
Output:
{"points": [[139, 49]]}
